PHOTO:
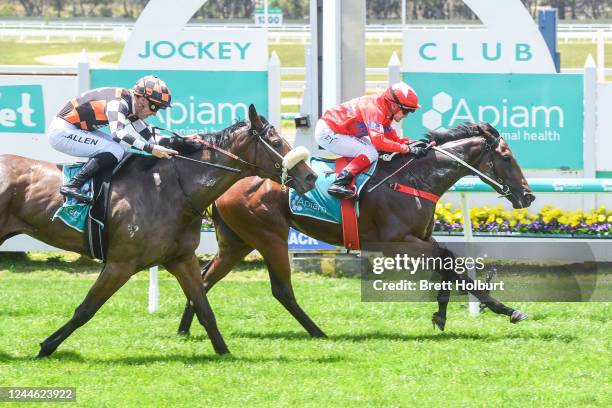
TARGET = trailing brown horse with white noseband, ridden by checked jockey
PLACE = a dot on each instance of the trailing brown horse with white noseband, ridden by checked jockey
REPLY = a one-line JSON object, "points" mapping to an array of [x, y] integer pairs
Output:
{"points": [[154, 216]]}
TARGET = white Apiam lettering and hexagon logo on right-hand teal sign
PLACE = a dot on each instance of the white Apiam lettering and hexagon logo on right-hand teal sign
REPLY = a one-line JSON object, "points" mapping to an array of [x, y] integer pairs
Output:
{"points": [[500, 113]]}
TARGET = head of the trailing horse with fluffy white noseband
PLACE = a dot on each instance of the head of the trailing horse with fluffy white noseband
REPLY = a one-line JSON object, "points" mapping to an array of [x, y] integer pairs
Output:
{"points": [[273, 157]]}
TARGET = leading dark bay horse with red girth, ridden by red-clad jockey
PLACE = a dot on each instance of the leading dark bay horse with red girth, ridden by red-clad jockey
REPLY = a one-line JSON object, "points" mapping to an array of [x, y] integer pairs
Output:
{"points": [[254, 214]]}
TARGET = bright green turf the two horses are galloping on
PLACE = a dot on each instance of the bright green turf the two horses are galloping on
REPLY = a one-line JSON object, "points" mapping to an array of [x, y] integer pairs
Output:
{"points": [[377, 354]]}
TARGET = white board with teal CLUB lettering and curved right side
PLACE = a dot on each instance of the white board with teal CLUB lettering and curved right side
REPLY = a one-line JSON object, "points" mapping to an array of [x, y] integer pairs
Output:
{"points": [[509, 42]]}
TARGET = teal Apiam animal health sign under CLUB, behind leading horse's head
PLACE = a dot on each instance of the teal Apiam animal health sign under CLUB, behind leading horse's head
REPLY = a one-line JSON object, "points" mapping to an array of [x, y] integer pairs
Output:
{"points": [[539, 115]]}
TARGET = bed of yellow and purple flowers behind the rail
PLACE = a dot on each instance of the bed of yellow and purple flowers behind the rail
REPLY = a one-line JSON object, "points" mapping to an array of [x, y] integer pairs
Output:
{"points": [[548, 220]]}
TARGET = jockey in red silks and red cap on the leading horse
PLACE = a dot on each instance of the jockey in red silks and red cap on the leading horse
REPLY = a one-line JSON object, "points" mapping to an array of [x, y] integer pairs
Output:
{"points": [[361, 127]]}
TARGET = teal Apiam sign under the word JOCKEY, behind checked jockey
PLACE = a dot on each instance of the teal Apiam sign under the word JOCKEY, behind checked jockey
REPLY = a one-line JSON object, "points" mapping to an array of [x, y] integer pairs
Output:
{"points": [[202, 101]]}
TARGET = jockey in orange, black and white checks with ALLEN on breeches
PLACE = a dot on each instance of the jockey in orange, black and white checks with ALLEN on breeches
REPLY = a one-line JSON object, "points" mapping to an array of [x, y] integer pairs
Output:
{"points": [[74, 130]]}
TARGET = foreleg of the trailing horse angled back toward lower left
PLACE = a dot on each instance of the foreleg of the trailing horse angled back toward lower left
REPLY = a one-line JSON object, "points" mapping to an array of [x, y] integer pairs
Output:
{"points": [[112, 277]]}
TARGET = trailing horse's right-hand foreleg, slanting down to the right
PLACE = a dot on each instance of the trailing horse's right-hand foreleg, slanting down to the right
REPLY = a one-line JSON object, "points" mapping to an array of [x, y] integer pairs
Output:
{"points": [[187, 272]]}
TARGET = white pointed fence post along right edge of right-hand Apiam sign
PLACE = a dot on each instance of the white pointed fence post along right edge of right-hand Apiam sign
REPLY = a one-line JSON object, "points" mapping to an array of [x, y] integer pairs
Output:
{"points": [[589, 155]]}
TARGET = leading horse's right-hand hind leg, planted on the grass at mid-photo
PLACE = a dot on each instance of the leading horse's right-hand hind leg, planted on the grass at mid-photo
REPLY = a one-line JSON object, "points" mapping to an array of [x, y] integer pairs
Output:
{"points": [[277, 260]]}
